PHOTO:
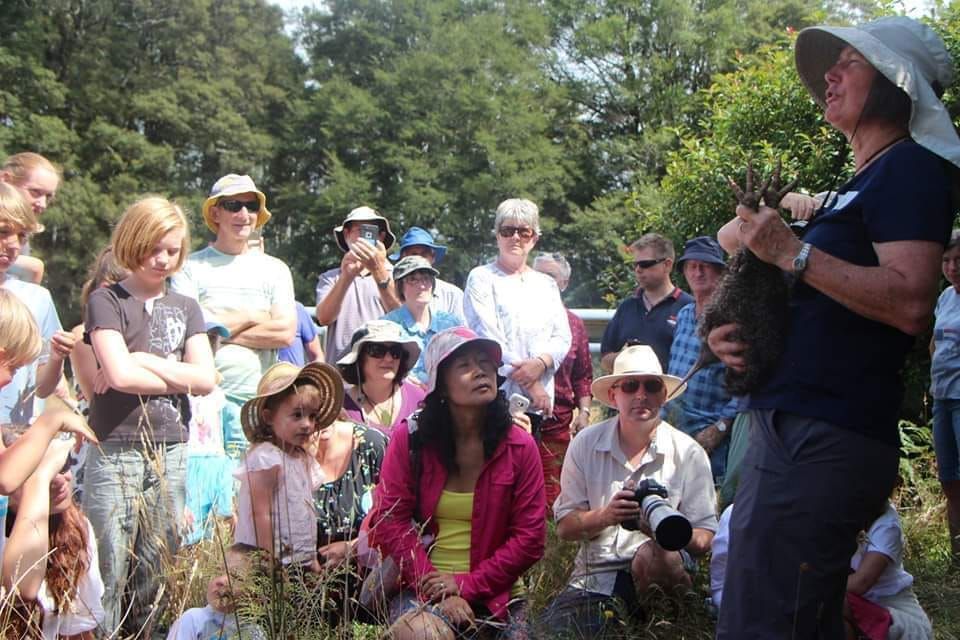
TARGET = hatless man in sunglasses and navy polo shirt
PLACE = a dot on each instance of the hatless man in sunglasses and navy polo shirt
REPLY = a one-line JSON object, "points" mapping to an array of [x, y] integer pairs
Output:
{"points": [[649, 316]]}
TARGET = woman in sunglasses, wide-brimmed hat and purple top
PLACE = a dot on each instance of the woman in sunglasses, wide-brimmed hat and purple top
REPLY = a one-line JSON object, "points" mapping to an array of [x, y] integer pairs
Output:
{"points": [[380, 395]]}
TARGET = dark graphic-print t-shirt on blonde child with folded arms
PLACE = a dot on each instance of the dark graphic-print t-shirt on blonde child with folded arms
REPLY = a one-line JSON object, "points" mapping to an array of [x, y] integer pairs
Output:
{"points": [[161, 328]]}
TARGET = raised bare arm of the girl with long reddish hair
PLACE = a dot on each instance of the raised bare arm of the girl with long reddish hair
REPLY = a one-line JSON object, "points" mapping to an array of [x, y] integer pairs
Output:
{"points": [[24, 555]]}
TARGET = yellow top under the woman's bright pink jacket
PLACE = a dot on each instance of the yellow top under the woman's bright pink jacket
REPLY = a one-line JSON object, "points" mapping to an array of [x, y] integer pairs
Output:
{"points": [[451, 550]]}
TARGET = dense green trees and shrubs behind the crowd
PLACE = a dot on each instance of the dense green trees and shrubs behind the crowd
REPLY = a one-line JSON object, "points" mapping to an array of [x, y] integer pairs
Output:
{"points": [[616, 116]]}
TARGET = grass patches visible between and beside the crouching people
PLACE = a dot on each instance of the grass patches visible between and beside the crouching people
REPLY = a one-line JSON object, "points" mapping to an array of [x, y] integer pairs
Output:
{"points": [[919, 501]]}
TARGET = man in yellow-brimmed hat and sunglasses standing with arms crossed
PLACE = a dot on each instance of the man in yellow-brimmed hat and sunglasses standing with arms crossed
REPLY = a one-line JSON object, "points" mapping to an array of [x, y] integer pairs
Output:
{"points": [[249, 292]]}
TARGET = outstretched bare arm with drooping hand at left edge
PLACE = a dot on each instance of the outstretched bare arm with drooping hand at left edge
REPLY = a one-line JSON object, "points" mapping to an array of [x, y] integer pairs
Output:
{"points": [[21, 458]]}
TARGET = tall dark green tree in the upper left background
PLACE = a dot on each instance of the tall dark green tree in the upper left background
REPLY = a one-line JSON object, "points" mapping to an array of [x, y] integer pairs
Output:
{"points": [[136, 96]]}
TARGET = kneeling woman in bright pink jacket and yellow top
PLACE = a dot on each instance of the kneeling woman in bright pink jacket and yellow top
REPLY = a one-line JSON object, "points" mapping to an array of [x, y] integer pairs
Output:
{"points": [[462, 472]]}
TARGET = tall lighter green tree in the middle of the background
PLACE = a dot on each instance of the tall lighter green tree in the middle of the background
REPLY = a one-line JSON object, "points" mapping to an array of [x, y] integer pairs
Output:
{"points": [[430, 111]]}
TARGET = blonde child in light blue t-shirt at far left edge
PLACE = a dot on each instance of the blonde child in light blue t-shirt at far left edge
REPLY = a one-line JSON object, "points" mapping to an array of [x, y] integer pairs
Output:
{"points": [[39, 378]]}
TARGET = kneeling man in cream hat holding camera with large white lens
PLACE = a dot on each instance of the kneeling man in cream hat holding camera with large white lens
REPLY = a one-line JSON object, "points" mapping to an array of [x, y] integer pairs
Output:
{"points": [[637, 493]]}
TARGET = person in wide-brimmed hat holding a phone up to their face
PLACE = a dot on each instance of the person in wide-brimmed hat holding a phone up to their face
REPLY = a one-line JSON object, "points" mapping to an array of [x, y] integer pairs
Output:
{"points": [[362, 287]]}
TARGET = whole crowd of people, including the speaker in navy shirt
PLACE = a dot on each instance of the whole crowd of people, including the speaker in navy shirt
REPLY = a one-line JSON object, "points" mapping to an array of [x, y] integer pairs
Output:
{"points": [[420, 452]]}
